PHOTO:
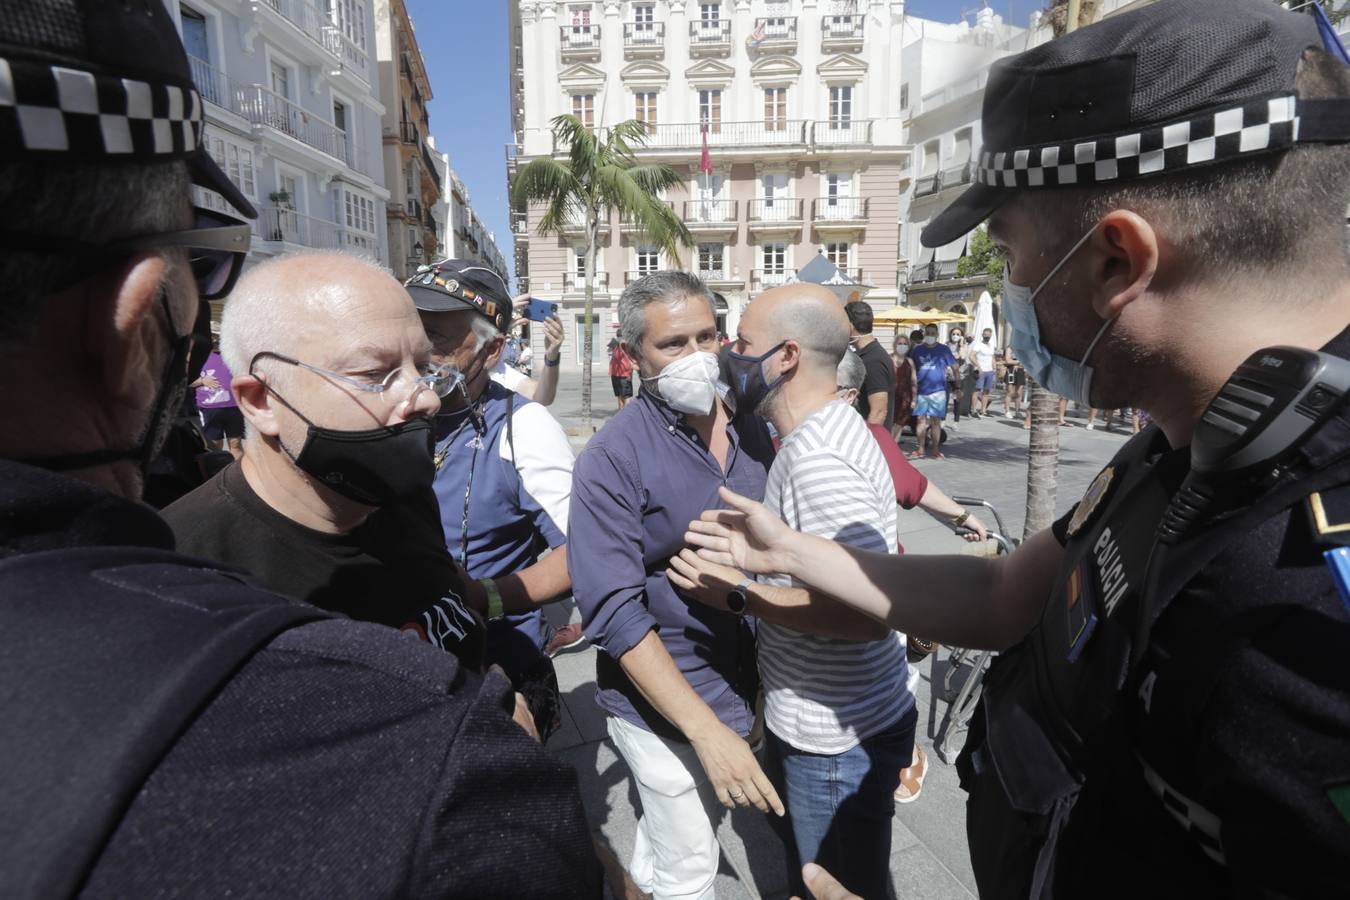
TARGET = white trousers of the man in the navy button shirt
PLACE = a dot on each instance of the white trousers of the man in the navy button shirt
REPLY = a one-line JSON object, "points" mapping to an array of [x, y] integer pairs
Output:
{"points": [[676, 853]]}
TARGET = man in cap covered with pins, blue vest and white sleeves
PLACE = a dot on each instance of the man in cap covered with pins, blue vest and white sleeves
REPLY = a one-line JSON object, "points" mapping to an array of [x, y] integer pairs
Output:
{"points": [[504, 478]]}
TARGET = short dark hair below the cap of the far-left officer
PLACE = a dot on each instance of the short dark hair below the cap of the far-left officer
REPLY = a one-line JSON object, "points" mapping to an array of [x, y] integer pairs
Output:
{"points": [[86, 202]]}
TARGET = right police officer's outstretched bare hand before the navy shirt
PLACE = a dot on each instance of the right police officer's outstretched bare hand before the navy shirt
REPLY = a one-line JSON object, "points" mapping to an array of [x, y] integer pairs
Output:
{"points": [[747, 536]]}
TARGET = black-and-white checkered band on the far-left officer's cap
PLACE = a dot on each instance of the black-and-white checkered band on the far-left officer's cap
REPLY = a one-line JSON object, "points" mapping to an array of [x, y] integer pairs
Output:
{"points": [[47, 109]]}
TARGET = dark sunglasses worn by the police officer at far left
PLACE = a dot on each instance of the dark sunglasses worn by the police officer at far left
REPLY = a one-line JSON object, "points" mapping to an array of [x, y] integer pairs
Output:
{"points": [[217, 248]]}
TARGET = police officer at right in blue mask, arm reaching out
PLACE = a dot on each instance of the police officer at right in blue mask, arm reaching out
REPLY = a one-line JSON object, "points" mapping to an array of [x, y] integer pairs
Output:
{"points": [[1171, 714]]}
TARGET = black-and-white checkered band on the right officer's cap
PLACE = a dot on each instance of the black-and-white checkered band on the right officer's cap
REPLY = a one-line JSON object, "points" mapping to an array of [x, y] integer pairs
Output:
{"points": [[1255, 128]]}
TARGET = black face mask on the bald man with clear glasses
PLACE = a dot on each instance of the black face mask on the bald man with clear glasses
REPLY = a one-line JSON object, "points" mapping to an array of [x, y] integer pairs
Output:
{"points": [[376, 466]]}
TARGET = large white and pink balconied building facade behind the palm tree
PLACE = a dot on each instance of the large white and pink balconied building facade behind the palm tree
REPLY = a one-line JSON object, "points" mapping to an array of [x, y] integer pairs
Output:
{"points": [[803, 109]]}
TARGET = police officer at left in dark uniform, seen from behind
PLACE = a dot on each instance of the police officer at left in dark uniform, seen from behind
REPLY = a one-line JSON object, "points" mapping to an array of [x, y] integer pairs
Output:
{"points": [[169, 729]]}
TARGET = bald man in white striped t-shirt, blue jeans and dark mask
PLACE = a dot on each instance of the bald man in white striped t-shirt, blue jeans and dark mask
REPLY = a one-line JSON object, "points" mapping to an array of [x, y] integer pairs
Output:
{"points": [[839, 716]]}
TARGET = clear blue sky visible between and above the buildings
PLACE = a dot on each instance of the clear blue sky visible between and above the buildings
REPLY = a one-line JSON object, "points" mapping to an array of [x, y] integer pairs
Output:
{"points": [[465, 47]]}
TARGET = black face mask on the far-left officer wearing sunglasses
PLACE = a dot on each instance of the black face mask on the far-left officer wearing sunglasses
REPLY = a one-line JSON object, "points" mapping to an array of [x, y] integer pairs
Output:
{"points": [[184, 366]]}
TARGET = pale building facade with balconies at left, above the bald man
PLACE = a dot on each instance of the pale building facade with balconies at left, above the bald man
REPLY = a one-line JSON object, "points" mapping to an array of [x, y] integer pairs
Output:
{"points": [[292, 103]]}
